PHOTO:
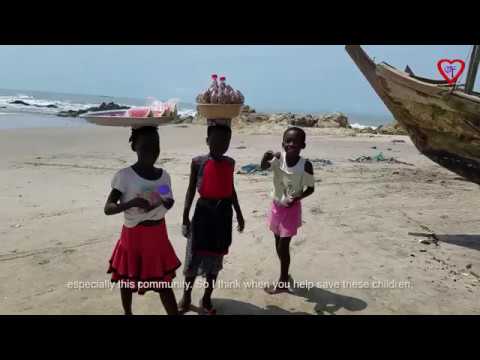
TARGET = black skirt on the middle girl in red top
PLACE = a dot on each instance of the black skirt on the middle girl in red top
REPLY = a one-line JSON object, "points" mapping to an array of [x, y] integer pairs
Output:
{"points": [[212, 227]]}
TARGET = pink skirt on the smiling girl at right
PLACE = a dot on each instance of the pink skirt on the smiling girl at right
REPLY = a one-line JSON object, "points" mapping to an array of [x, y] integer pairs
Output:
{"points": [[285, 221]]}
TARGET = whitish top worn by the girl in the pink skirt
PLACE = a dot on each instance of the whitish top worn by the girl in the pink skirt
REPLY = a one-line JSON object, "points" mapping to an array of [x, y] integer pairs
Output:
{"points": [[289, 182]]}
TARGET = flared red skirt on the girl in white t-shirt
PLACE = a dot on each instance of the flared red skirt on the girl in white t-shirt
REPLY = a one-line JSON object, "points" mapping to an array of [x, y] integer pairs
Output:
{"points": [[144, 259]]}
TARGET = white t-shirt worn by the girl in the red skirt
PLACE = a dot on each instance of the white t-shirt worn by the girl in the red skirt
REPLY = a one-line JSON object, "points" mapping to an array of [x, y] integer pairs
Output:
{"points": [[132, 185]]}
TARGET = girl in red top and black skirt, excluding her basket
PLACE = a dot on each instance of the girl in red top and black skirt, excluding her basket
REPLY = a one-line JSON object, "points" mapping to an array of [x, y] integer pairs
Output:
{"points": [[210, 232]]}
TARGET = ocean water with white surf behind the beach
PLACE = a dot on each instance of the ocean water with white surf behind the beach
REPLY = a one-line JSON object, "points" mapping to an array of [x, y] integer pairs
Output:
{"points": [[38, 114]]}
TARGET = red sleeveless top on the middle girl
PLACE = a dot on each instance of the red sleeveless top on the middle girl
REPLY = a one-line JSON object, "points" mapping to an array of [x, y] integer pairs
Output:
{"points": [[215, 177]]}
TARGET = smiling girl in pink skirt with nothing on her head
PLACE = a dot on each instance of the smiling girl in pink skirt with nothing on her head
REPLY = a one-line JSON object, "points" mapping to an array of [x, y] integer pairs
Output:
{"points": [[292, 181]]}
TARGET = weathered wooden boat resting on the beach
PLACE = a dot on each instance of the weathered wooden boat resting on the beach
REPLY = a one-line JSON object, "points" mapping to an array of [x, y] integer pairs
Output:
{"points": [[442, 120]]}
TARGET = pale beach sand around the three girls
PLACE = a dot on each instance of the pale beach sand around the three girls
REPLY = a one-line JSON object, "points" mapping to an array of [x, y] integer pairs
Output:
{"points": [[359, 246]]}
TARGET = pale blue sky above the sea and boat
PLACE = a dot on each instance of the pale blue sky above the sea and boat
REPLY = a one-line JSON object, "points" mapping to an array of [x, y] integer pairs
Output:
{"points": [[282, 78]]}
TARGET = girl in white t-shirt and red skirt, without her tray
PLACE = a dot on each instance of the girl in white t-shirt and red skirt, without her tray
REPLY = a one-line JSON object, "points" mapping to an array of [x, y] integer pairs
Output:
{"points": [[143, 258]]}
